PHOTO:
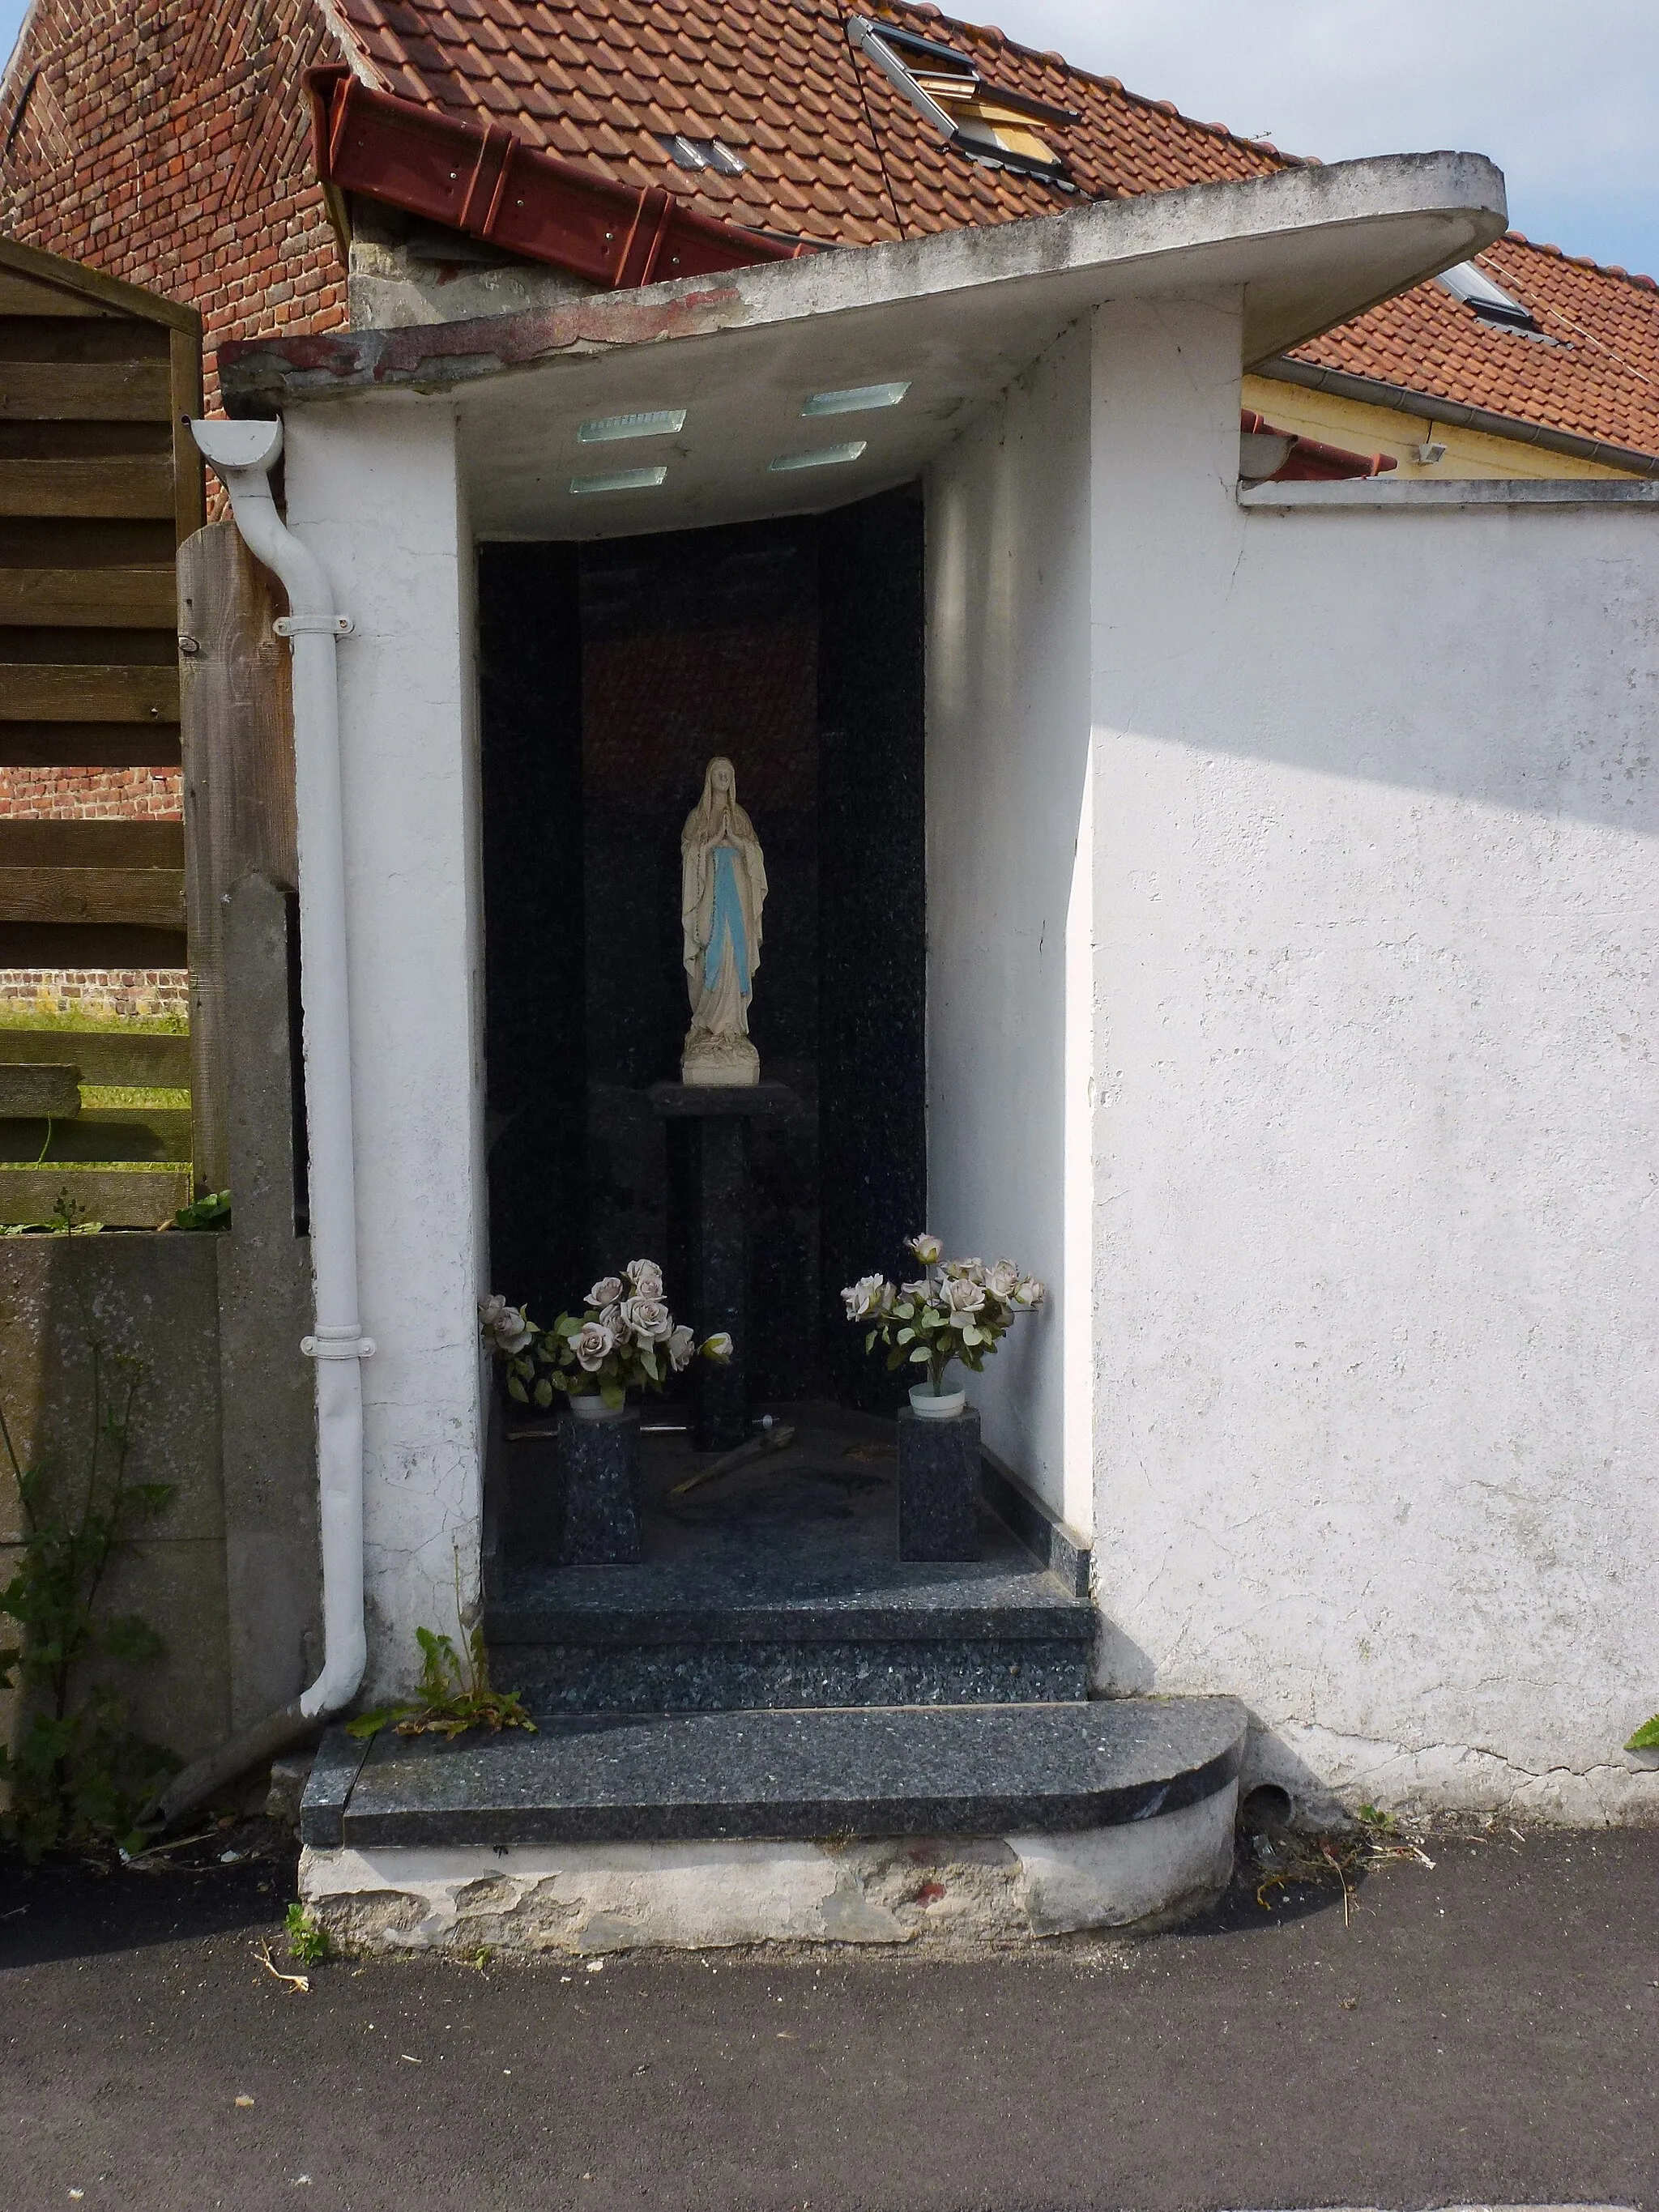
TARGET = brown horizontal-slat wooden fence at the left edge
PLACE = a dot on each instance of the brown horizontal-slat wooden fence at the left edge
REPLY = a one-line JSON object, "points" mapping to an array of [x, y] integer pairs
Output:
{"points": [[98, 490]]}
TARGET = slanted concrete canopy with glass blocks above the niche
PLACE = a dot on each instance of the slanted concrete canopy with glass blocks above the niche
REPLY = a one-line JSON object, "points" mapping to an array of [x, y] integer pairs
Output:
{"points": [[957, 317]]}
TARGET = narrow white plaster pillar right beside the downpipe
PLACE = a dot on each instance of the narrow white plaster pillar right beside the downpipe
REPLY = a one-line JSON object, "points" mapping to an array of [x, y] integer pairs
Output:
{"points": [[373, 488]]}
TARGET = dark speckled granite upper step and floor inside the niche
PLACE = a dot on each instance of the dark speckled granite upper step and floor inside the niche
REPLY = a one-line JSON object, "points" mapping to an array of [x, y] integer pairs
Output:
{"points": [[780, 1587]]}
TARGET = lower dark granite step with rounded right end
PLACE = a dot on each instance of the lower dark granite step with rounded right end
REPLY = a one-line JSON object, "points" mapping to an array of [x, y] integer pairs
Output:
{"points": [[959, 1771]]}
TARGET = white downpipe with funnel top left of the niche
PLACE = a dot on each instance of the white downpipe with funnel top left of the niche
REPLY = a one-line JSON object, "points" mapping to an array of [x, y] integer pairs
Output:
{"points": [[242, 455]]}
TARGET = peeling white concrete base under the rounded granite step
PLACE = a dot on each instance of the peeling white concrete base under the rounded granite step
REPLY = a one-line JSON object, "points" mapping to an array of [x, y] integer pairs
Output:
{"points": [[935, 1892]]}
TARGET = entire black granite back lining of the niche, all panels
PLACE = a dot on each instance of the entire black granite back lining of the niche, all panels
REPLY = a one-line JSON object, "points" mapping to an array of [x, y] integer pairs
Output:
{"points": [[609, 678]]}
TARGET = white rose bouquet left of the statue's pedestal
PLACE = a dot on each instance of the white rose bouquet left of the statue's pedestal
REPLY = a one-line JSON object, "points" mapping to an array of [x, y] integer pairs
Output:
{"points": [[623, 1339]]}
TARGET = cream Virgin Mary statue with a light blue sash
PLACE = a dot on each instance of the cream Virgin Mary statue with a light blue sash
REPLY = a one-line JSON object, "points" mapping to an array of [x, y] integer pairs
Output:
{"points": [[722, 890]]}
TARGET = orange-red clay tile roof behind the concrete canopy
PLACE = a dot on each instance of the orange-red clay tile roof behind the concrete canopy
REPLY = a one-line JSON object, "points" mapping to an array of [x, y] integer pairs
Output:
{"points": [[782, 83]]}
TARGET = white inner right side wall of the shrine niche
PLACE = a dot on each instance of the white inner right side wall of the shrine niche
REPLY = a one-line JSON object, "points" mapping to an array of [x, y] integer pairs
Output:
{"points": [[1008, 747]]}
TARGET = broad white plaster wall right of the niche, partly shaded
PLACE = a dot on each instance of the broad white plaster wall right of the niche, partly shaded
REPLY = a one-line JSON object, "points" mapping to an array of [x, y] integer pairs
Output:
{"points": [[1375, 1246]]}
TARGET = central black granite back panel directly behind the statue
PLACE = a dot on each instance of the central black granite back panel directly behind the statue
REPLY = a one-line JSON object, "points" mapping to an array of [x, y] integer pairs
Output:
{"points": [[700, 645]]}
